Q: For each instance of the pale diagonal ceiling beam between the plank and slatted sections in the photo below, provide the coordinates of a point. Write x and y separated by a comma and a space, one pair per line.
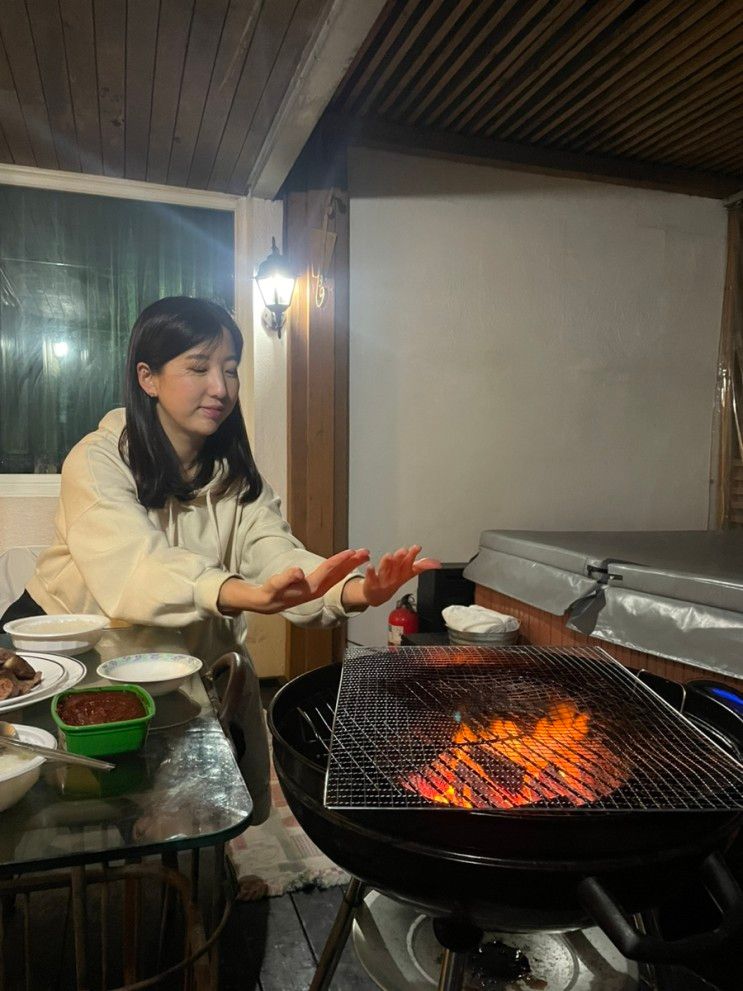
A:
325, 61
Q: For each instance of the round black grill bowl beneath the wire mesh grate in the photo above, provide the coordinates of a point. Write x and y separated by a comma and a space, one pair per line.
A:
510, 871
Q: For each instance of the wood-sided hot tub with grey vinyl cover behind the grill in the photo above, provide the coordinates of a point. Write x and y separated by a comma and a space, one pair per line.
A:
671, 601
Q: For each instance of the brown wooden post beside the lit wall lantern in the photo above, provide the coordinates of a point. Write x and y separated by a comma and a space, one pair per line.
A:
316, 199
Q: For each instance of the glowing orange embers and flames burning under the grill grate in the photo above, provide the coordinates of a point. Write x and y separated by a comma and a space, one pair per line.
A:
502, 765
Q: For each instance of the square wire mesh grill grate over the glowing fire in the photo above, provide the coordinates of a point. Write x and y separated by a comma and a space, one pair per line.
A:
537, 729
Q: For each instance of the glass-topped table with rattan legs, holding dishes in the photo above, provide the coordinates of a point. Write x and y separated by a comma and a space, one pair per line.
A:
182, 791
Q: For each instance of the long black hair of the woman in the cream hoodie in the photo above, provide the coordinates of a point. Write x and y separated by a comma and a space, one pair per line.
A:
162, 331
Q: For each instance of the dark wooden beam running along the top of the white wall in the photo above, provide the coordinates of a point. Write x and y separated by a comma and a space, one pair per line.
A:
528, 158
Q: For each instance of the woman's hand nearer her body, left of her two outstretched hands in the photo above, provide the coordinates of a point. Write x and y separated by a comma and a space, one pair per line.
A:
289, 588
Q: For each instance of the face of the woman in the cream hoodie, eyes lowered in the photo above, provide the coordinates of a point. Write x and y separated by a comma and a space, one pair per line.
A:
195, 391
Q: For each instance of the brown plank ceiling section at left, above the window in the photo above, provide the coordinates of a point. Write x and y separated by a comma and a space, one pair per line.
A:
181, 92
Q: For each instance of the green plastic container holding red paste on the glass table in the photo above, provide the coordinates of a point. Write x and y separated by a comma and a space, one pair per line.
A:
104, 739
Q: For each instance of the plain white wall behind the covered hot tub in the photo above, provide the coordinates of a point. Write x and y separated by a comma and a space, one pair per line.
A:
526, 352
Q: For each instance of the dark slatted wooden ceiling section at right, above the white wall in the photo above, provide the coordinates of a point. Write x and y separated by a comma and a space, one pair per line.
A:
648, 81
